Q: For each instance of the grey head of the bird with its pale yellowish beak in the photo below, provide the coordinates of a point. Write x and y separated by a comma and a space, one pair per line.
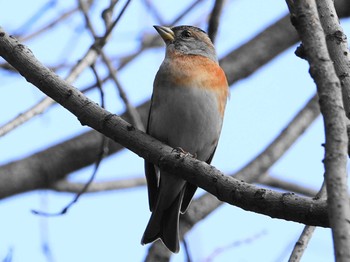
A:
187, 40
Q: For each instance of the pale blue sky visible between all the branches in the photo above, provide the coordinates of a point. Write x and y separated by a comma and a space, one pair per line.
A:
108, 226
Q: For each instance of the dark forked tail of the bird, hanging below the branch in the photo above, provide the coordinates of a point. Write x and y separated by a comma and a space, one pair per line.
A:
164, 224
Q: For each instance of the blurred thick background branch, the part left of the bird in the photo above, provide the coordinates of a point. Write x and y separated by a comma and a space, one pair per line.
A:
59, 160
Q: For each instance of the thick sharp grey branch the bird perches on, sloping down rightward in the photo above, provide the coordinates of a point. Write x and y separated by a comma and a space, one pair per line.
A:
228, 189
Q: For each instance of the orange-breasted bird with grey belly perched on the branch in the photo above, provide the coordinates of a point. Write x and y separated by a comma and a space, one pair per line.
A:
189, 97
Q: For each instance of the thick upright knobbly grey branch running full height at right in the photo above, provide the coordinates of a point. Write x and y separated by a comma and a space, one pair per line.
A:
322, 70
